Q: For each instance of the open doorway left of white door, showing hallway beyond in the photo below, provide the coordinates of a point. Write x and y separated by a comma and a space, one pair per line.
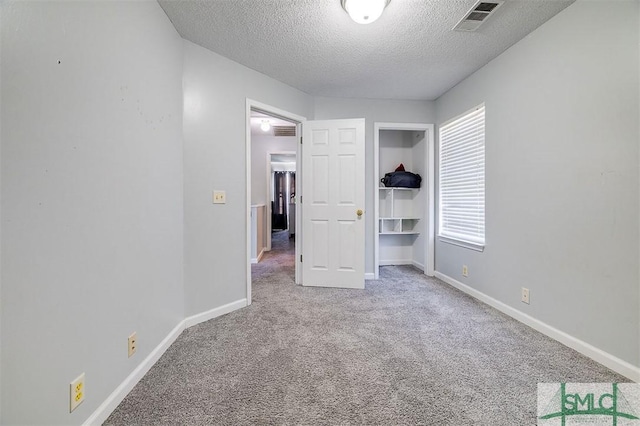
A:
272, 150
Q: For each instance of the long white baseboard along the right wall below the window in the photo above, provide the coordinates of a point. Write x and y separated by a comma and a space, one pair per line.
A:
614, 363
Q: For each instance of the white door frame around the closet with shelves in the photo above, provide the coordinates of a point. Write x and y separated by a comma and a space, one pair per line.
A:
429, 265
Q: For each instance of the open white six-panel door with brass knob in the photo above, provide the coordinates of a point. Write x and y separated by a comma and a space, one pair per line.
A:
333, 203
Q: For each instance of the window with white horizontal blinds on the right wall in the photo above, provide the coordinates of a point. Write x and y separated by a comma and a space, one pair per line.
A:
461, 183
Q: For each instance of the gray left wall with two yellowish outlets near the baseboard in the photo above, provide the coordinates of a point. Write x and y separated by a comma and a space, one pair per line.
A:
91, 199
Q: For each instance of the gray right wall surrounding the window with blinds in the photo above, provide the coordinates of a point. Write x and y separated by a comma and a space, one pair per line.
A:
561, 175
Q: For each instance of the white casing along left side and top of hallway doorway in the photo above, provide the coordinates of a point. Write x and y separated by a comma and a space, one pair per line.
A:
271, 110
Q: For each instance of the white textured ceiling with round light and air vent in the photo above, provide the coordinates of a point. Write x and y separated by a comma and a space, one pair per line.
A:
313, 45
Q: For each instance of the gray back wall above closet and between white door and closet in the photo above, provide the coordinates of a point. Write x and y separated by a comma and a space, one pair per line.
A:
373, 110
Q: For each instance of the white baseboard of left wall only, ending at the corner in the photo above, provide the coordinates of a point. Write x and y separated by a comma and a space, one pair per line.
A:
106, 408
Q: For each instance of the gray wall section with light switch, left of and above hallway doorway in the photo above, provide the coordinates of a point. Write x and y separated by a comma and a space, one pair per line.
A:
215, 91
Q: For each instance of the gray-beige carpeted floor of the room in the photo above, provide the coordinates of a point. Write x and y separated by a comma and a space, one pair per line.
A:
406, 350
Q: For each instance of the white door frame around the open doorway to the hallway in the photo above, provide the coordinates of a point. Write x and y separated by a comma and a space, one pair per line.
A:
252, 104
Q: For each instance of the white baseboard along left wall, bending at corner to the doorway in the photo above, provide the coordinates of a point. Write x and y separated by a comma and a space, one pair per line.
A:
111, 403
